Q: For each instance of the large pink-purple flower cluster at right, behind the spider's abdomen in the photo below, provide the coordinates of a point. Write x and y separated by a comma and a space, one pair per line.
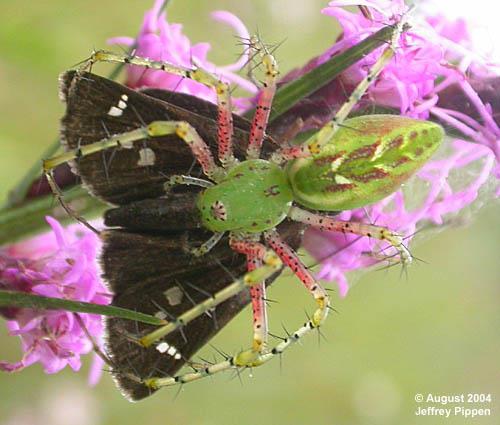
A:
432, 57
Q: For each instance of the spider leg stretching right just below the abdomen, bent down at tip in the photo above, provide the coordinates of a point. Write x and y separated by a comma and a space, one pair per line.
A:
325, 223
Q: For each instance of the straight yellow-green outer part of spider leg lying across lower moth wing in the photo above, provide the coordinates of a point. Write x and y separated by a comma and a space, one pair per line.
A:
271, 264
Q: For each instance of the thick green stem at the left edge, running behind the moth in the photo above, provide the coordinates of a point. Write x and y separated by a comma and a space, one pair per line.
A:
26, 219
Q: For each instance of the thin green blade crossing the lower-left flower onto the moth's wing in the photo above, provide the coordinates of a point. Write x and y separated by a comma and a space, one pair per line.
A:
23, 300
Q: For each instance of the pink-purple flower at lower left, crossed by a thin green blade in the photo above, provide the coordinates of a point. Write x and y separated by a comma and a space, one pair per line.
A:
61, 264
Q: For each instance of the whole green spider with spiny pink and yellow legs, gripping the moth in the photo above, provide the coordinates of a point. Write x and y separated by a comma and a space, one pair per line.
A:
345, 165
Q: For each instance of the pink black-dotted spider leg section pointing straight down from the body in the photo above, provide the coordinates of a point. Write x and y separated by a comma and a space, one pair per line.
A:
255, 252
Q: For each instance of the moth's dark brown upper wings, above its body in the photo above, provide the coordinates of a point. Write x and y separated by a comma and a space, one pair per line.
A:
97, 108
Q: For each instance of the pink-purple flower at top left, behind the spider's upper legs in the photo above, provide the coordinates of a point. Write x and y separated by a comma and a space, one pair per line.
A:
160, 40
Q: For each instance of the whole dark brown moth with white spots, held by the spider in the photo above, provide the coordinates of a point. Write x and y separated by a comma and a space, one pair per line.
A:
145, 256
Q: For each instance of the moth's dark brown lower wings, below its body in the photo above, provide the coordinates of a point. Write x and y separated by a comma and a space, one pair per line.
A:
177, 283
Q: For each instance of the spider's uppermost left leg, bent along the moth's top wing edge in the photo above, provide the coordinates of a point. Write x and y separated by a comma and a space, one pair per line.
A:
222, 89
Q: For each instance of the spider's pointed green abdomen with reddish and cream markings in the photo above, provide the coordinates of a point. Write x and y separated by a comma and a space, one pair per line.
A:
367, 160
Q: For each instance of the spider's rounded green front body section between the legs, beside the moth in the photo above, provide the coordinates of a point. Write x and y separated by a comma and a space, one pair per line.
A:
255, 196
